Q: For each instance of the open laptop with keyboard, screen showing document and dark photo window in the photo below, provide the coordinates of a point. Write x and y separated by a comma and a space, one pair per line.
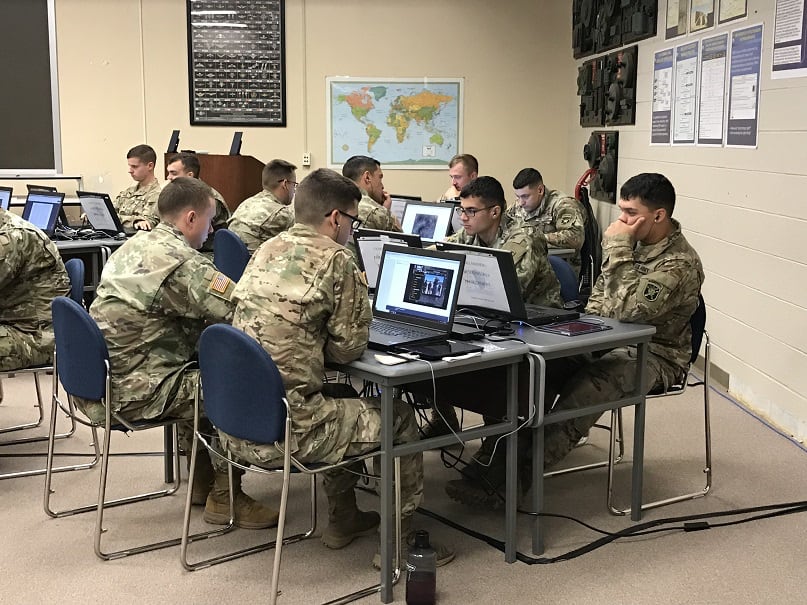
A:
415, 298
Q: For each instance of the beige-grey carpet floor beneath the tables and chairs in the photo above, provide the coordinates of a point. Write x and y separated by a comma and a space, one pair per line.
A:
46, 560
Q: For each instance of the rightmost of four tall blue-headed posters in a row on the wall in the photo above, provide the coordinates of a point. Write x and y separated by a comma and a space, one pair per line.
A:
744, 70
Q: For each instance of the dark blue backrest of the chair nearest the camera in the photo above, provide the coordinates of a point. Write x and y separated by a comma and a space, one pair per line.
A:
241, 385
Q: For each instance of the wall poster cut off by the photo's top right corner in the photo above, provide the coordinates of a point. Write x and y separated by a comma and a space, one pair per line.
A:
789, 40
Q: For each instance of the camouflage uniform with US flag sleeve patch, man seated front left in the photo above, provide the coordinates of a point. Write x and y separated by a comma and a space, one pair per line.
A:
156, 296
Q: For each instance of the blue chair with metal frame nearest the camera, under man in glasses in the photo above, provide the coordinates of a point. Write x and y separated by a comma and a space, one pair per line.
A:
245, 398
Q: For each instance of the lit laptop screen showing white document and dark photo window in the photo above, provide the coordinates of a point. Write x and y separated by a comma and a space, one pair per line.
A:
418, 284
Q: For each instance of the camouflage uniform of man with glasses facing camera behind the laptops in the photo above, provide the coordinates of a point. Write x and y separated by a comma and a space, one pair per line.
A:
535, 275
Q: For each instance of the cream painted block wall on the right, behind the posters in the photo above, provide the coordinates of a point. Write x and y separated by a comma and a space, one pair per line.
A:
743, 210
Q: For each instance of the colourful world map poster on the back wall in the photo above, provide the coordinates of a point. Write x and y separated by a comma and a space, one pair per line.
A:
402, 123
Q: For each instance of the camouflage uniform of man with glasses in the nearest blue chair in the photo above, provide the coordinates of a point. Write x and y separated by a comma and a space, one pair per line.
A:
305, 301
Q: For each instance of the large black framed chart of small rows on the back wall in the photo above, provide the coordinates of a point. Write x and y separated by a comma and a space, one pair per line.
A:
236, 62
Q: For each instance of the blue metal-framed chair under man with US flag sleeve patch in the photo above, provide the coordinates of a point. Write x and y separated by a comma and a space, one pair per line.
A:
81, 363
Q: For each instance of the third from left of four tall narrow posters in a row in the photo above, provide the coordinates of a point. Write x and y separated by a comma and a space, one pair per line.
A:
712, 90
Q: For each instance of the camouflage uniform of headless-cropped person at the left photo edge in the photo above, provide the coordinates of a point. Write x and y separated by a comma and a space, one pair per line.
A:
31, 275
